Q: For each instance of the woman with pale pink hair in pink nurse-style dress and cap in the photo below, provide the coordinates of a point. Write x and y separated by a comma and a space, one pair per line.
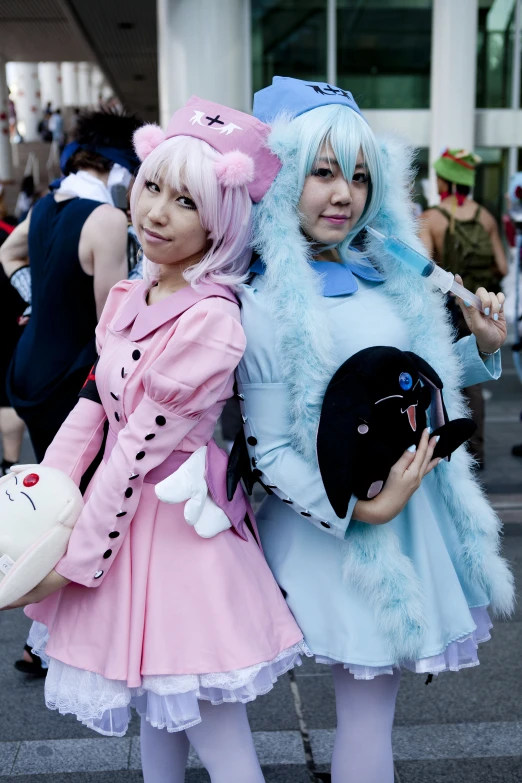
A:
169, 608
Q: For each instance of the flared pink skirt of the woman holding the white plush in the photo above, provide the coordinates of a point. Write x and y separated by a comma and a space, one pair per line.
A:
173, 605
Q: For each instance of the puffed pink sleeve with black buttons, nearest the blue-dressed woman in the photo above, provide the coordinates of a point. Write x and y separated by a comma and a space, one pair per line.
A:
189, 377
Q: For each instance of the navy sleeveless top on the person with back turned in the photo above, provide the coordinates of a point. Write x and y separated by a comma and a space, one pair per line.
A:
57, 349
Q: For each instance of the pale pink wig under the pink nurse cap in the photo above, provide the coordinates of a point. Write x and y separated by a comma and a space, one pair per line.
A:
224, 208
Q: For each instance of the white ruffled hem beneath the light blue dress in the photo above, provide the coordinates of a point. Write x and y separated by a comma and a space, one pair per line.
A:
459, 654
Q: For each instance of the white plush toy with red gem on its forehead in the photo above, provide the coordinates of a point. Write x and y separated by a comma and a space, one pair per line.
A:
39, 507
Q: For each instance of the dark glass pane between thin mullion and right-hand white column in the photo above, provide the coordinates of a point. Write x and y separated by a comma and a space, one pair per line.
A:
384, 52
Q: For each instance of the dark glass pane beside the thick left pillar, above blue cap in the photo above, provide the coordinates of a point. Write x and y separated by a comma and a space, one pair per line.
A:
288, 39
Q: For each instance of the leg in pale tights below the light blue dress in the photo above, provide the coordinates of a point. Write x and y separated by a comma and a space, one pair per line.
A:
365, 709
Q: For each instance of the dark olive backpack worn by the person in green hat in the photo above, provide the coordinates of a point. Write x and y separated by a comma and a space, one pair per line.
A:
468, 252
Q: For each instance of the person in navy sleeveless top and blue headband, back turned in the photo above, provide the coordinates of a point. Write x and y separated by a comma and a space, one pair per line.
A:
76, 243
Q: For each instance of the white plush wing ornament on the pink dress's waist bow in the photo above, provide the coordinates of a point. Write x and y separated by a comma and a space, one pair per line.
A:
188, 483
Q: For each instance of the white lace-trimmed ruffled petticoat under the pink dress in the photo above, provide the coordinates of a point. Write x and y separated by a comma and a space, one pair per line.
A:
166, 701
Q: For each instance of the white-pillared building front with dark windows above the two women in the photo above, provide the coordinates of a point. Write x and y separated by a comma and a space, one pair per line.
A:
439, 72
